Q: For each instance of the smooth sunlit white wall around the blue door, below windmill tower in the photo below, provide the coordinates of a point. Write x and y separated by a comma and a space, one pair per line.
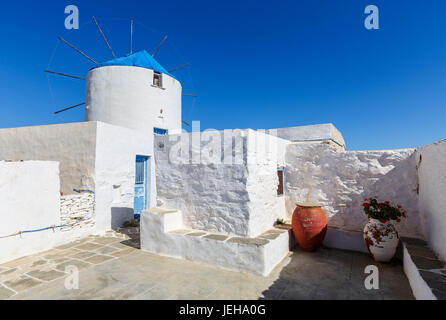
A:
116, 151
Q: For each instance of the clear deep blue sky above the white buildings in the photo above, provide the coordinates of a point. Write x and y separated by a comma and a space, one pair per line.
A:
254, 64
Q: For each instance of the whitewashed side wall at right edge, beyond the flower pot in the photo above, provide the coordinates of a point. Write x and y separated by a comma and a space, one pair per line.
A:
431, 160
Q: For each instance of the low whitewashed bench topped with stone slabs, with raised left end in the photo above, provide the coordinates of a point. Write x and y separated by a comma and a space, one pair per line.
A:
164, 233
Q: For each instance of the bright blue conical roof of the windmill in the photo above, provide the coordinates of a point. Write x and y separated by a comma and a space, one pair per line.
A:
140, 59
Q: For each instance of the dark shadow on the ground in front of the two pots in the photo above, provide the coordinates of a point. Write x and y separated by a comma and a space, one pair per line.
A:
333, 274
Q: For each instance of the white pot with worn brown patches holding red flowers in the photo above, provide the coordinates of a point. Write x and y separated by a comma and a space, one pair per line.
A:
381, 239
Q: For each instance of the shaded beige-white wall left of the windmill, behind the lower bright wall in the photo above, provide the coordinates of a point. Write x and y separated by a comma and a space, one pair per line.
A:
72, 144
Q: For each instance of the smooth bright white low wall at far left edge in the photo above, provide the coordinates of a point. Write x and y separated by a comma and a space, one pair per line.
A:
29, 200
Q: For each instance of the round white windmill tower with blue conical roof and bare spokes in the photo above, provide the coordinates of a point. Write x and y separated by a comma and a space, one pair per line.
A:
133, 91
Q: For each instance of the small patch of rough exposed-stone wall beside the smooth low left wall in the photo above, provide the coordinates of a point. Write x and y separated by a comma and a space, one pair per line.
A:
77, 212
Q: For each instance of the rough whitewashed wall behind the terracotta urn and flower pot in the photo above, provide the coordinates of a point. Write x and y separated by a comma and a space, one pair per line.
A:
341, 182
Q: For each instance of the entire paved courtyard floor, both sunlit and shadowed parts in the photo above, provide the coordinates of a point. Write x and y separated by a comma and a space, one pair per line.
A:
112, 267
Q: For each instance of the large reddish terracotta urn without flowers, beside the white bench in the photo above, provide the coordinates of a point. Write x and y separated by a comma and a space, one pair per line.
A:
309, 225
